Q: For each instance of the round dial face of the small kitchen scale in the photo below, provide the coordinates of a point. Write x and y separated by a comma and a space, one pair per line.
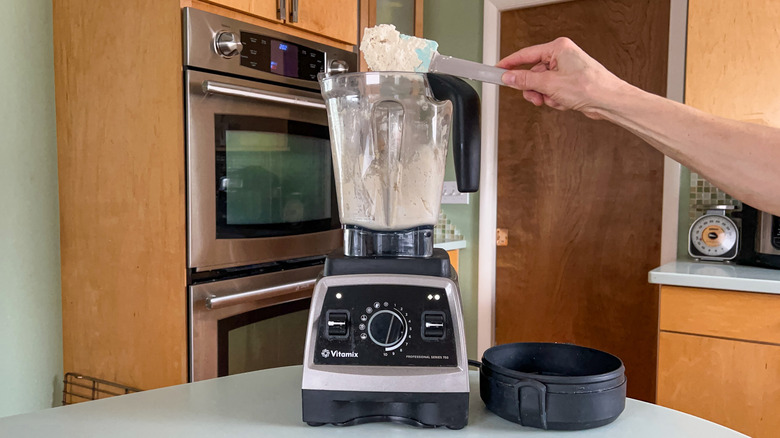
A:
713, 236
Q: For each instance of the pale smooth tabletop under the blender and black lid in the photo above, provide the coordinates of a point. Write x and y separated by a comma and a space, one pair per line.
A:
268, 403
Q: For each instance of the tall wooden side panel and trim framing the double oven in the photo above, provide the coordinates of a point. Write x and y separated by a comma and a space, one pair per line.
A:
121, 154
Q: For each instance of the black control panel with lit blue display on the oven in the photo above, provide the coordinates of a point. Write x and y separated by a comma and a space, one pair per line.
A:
279, 57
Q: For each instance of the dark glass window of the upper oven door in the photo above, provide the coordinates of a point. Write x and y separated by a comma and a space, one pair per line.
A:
274, 177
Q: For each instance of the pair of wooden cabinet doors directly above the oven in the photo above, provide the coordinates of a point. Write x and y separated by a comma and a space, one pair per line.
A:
335, 19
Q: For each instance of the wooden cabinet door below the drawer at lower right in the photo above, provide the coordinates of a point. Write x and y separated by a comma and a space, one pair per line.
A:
733, 383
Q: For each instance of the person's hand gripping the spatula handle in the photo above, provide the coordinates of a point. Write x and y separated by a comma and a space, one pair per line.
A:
563, 77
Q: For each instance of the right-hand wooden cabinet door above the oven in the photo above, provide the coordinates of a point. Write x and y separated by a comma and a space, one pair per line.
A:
335, 19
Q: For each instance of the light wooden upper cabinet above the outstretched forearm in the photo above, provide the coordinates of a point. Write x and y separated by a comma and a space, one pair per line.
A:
732, 61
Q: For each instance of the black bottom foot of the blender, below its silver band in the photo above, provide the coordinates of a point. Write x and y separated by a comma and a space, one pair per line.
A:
347, 408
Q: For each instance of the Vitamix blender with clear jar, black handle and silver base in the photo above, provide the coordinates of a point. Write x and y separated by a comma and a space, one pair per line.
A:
385, 339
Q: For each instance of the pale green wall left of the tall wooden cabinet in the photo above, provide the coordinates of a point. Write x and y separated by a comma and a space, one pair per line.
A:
31, 313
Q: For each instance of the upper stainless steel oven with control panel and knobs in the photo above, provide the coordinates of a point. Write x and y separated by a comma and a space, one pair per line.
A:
259, 178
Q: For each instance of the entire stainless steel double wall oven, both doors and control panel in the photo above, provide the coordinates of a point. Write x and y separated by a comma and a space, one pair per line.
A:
261, 209
